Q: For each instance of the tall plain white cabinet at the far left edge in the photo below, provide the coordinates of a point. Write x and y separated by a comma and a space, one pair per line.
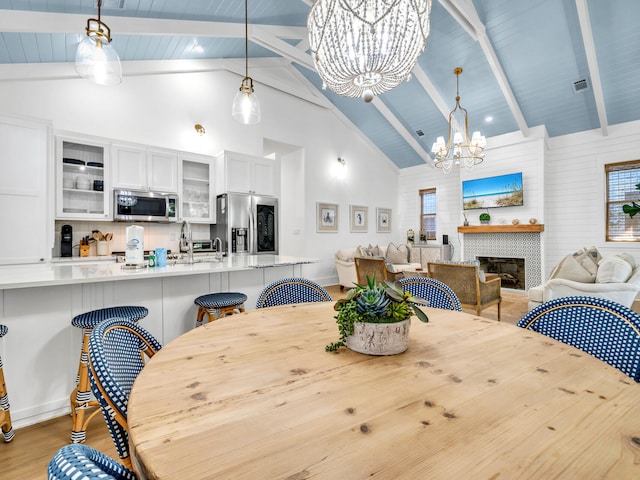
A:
25, 214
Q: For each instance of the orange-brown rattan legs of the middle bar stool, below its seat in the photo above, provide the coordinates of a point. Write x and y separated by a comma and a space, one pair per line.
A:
80, 398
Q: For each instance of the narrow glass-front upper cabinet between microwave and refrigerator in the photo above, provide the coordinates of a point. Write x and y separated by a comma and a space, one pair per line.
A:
197, 193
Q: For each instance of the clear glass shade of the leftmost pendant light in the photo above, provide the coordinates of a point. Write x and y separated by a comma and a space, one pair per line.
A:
98, 61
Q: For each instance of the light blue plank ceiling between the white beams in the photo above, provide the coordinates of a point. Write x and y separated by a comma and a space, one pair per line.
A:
538, 44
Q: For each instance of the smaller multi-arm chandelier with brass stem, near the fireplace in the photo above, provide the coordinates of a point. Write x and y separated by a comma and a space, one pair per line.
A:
460, 149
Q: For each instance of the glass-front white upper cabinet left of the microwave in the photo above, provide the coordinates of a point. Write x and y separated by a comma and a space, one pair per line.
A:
81, 183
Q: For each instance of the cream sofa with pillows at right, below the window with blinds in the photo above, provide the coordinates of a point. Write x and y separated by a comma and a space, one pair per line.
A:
613, 277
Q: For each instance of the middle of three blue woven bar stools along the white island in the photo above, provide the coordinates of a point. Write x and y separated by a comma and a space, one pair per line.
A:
80, 398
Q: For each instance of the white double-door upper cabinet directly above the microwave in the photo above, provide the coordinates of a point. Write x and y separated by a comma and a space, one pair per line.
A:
138, 168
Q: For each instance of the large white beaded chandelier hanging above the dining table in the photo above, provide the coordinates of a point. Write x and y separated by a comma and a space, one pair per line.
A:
362, 48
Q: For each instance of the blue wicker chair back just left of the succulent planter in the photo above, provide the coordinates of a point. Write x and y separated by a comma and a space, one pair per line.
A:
292, 290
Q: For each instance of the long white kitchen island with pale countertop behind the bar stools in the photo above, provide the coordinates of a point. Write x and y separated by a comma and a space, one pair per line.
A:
37, 302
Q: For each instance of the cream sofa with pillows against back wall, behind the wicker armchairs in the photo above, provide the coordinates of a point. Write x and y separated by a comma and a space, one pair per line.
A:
398, 258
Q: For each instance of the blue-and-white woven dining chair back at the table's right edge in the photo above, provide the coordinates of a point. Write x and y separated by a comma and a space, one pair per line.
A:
602, 328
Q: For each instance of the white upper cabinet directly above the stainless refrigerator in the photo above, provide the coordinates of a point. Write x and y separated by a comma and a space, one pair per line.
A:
241, 173
